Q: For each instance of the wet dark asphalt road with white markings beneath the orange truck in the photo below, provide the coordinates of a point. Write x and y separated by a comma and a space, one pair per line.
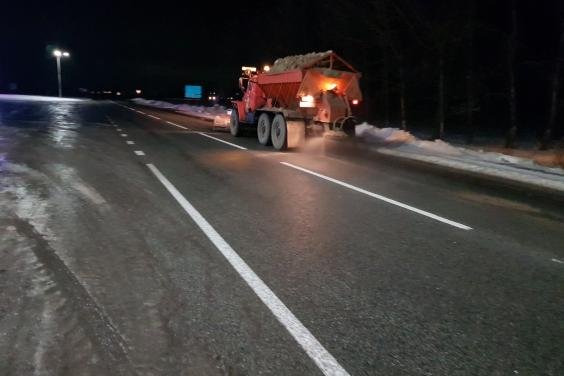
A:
140, 242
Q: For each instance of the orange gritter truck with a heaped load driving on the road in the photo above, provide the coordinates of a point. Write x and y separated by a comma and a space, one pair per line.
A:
299, 96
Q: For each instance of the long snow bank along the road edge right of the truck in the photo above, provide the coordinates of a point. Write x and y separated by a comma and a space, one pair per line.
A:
396, 142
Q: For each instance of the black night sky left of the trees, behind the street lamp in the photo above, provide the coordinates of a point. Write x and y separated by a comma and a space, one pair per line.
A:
131, 44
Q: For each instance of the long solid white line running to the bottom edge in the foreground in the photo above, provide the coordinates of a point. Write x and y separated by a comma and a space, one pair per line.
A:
322, 358
